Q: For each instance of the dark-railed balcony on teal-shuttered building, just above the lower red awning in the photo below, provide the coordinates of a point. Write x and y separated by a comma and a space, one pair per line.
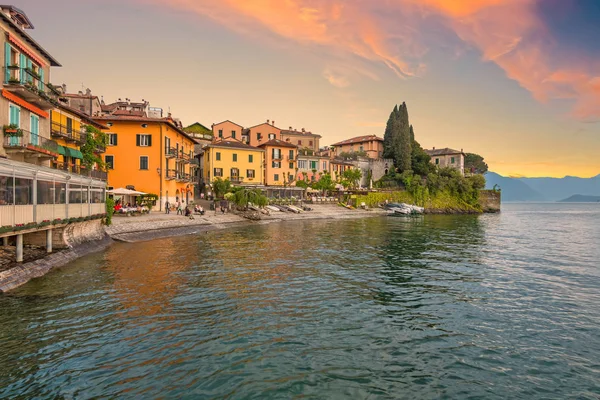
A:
26, 84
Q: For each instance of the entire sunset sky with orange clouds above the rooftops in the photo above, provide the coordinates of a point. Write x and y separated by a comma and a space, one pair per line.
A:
517, 81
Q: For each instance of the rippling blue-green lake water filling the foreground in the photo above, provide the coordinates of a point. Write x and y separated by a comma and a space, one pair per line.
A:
494, 306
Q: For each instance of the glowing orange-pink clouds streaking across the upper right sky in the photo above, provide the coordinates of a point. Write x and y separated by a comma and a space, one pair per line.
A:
508, 33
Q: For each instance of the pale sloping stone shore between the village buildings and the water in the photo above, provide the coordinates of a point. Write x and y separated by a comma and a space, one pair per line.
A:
158, 224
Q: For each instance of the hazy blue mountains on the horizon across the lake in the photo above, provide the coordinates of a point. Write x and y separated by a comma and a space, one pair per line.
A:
543, 189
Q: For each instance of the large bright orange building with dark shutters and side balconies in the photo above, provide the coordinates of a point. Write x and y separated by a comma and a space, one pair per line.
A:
154, 155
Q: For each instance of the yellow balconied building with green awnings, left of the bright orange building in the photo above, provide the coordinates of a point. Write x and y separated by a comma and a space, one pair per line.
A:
68, 129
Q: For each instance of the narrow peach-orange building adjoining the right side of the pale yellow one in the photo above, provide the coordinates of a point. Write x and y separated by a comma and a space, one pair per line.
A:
280, 166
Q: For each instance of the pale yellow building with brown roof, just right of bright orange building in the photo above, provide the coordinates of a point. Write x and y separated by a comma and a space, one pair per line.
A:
234, 160
